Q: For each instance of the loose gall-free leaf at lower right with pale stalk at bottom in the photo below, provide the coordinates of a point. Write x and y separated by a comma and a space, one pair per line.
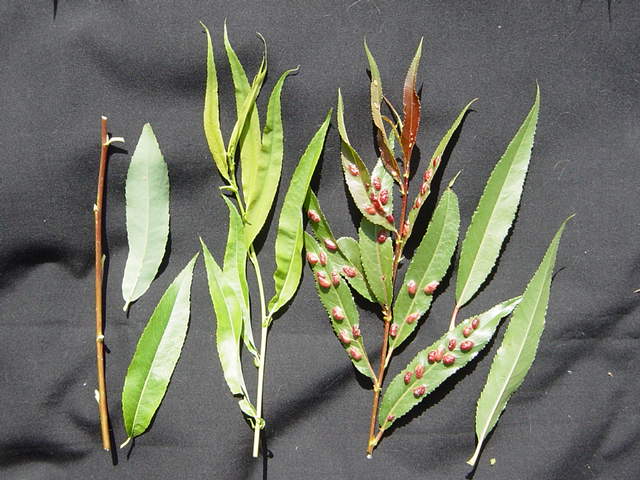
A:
518, 350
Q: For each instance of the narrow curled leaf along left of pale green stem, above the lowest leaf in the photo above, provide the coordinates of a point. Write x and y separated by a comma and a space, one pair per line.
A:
235, 271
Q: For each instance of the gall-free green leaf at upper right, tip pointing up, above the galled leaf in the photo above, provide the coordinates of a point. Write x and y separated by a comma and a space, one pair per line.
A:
496, 210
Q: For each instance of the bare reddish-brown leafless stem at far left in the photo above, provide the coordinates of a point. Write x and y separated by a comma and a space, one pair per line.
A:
97, 215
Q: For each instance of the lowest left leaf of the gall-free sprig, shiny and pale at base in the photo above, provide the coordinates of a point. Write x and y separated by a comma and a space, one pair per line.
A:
229, 328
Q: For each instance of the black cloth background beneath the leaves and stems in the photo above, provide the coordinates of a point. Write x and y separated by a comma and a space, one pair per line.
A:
64, 63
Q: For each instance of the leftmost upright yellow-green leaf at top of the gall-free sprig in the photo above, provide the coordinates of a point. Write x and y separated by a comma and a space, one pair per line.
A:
211, 113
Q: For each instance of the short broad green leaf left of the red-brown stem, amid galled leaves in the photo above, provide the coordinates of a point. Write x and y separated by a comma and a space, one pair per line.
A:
377, 260
